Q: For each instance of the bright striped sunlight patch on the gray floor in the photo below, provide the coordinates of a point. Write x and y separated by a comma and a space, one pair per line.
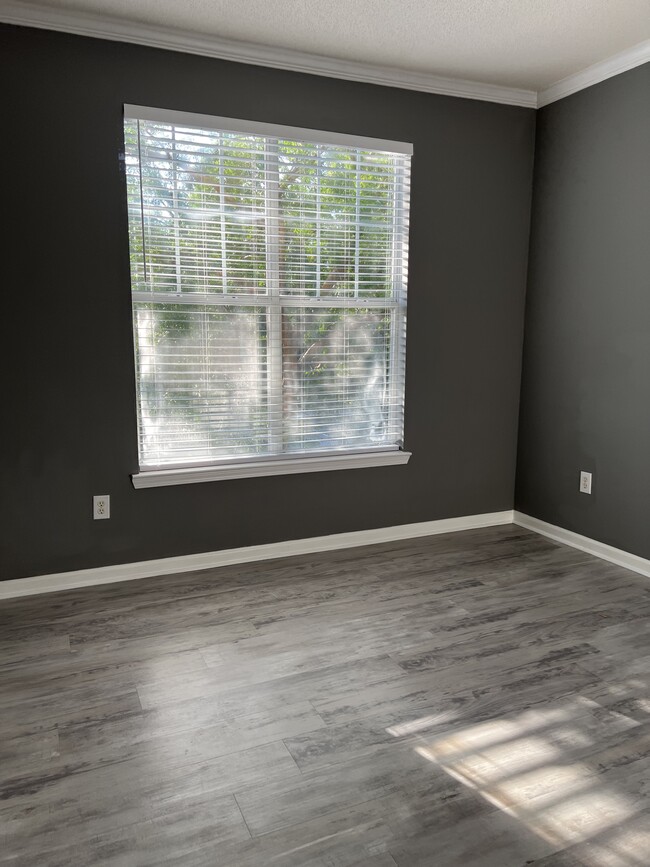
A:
527, 767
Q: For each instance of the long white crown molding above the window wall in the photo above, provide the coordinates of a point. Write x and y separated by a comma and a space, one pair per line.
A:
189, 42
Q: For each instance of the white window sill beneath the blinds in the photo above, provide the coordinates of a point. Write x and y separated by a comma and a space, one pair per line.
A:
278, 467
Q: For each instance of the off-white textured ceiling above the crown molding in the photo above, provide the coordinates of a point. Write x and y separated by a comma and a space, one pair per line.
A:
517, 43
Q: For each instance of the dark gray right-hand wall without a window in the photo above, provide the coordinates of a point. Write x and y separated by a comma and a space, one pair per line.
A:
586, 384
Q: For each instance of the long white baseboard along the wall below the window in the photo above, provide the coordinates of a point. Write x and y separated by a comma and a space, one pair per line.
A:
214, 559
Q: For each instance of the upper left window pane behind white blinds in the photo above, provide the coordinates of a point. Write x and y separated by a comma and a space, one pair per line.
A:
202, 197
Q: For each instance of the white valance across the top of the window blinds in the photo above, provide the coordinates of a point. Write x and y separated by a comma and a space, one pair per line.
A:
273, 130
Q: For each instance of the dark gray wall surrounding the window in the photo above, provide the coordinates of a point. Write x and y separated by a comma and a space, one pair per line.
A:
69, 423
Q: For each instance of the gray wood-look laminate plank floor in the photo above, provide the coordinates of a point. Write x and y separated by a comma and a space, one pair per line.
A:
479, 698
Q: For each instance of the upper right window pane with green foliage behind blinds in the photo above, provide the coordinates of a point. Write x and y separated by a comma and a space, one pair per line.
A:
337, 215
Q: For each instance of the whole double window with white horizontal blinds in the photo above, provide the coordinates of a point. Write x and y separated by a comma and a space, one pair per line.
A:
268, 271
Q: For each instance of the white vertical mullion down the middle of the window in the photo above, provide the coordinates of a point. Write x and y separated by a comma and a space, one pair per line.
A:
274, 307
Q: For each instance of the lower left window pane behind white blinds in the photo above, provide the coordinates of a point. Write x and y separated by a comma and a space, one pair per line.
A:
202, 382
